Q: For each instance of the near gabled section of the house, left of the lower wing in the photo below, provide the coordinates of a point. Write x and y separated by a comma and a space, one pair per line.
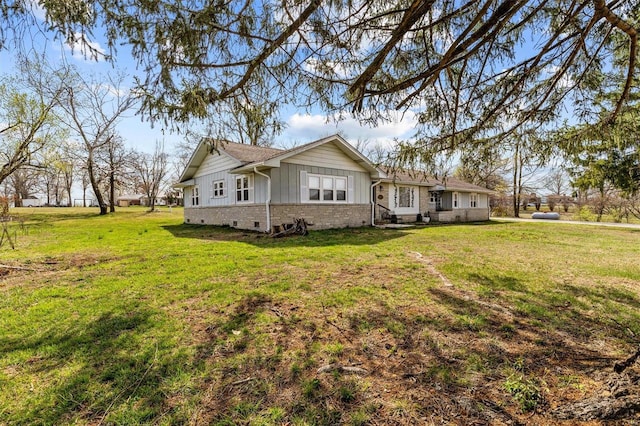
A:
327, 182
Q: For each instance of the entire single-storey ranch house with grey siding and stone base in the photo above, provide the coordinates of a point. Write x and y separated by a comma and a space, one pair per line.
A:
327, 182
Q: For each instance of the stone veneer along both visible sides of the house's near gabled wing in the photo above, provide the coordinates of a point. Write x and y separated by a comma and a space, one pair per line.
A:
322, 216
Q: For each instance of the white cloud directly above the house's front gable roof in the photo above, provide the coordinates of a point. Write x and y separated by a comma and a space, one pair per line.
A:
303, 128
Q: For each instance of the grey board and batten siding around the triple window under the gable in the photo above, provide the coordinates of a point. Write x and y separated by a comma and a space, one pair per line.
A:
285, 182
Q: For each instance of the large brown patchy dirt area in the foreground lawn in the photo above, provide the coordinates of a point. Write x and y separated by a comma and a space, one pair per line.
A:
472, 361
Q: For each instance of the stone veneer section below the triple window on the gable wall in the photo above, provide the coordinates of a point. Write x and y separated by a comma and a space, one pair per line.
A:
323, 216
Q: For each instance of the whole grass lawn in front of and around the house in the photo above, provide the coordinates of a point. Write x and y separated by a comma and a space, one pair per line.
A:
136, 318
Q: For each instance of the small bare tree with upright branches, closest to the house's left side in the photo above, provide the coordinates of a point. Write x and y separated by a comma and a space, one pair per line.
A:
151, 171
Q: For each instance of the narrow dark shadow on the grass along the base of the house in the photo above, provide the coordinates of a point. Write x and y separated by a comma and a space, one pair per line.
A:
330, 237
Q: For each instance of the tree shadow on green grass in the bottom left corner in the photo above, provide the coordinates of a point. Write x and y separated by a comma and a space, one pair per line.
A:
102, 371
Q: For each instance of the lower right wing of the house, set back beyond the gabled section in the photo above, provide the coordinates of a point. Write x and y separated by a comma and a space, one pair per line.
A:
402, 196
